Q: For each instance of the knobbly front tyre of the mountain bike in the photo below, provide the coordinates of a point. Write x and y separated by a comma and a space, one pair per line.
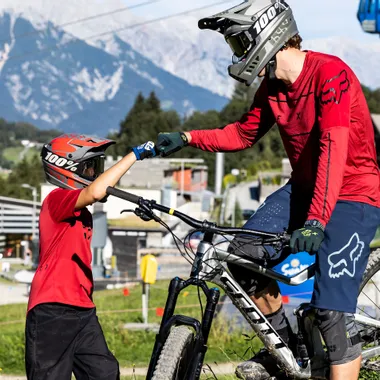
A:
173, 360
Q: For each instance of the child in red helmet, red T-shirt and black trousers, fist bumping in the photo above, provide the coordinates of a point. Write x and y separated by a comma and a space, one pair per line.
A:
63, 335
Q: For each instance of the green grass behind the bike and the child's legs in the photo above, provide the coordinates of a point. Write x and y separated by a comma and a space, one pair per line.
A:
133, 348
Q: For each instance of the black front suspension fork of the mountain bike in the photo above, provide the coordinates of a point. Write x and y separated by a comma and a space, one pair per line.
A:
202, 329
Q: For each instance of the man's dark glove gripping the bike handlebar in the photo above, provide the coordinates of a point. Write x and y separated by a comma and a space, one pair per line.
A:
308, 238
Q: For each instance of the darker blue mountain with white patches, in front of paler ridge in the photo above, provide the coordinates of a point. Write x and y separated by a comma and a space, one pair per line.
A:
52, 79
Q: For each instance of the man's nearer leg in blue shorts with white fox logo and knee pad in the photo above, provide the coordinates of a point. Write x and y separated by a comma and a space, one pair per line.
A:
341, 262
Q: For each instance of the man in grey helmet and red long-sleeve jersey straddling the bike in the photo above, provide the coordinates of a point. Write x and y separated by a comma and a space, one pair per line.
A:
331, 203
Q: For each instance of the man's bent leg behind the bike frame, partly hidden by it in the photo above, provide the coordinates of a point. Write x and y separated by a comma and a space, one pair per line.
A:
276, 214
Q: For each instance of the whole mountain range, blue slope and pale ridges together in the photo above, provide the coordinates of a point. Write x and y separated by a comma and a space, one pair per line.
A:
58, 71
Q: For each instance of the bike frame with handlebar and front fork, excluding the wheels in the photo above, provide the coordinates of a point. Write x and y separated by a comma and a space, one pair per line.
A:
209, 265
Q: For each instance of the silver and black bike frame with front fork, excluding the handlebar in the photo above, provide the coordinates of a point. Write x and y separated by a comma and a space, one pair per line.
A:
208, 266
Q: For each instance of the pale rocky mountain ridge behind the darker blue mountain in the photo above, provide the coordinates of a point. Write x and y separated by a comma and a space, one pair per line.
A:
177, 45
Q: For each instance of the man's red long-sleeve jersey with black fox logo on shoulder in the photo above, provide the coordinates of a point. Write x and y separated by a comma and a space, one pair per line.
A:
326, 129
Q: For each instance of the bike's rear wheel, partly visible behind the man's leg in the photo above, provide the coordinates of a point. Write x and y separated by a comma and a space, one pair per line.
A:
369, 306
